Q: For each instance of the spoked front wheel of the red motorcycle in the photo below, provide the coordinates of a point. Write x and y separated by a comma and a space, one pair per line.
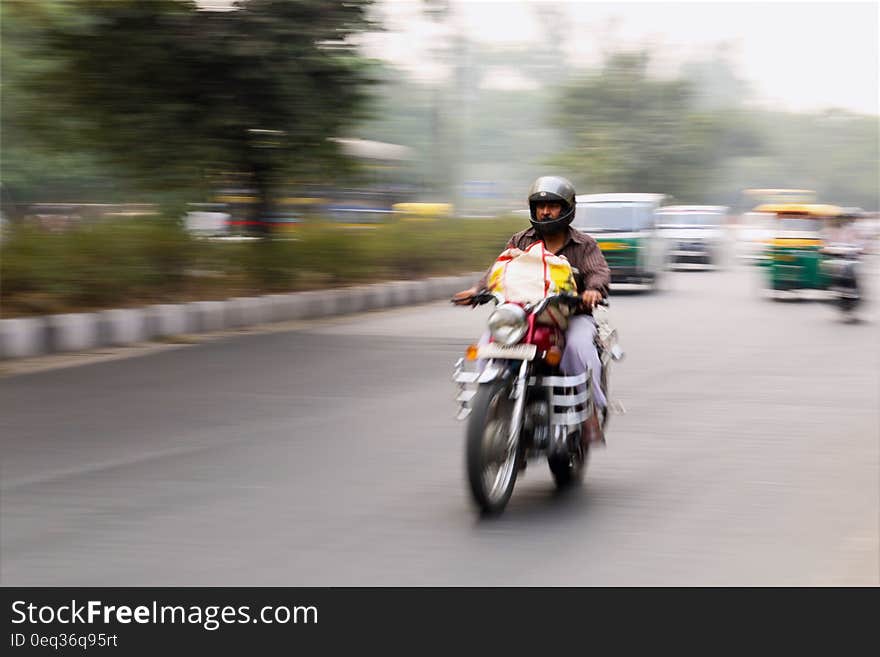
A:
492, 457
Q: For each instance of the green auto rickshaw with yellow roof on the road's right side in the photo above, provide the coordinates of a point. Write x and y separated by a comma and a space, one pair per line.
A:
794, 252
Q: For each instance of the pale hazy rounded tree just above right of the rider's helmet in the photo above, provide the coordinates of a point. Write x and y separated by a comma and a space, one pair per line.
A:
630, 132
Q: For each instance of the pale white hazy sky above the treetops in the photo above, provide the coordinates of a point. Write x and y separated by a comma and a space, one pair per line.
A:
795, 55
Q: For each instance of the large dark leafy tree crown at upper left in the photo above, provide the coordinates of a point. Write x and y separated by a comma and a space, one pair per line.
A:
168, 93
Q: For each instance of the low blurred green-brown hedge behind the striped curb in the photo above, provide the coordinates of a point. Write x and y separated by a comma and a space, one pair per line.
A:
115, 263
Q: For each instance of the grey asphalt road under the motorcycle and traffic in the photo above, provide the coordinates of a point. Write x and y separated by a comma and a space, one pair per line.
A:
327, 454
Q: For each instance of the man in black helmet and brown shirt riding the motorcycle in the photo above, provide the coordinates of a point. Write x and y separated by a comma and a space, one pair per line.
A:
552, 209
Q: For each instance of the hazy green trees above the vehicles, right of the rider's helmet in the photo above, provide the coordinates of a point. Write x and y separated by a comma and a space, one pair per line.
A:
695, 138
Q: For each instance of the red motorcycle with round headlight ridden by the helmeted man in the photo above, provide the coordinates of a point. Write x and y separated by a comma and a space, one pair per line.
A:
519, 405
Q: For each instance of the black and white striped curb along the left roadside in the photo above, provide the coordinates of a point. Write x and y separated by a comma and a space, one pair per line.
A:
36, 336
